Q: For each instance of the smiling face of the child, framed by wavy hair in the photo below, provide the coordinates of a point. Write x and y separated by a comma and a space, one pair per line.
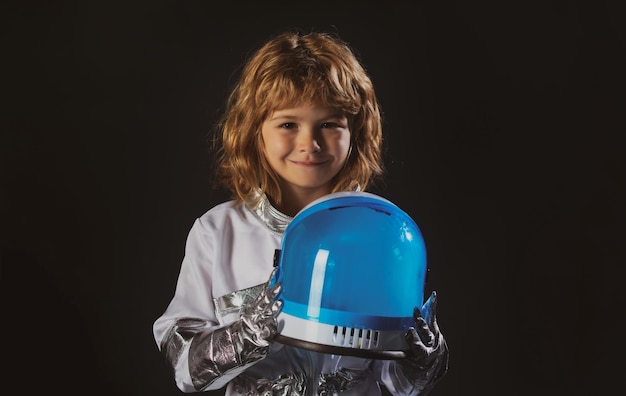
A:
306, 146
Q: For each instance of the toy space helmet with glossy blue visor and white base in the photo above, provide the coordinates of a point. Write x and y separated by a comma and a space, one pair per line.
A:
352, 267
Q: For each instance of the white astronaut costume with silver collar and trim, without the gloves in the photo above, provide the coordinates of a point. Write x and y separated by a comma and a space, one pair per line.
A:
228, 259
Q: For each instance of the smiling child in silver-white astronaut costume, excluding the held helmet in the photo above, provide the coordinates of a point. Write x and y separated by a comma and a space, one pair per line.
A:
302, 122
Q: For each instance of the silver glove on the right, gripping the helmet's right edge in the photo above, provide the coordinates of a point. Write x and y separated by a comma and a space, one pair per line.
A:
427, 360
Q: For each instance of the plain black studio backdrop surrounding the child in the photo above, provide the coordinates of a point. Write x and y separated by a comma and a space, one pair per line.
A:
502, 122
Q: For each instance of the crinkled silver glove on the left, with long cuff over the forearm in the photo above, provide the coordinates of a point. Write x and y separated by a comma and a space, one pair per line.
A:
232, 348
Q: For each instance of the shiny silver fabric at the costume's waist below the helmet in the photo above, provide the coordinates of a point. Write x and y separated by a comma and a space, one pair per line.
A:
298, 384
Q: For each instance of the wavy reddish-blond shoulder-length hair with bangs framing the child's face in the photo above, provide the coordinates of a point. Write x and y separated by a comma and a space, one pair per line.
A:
295, 68
